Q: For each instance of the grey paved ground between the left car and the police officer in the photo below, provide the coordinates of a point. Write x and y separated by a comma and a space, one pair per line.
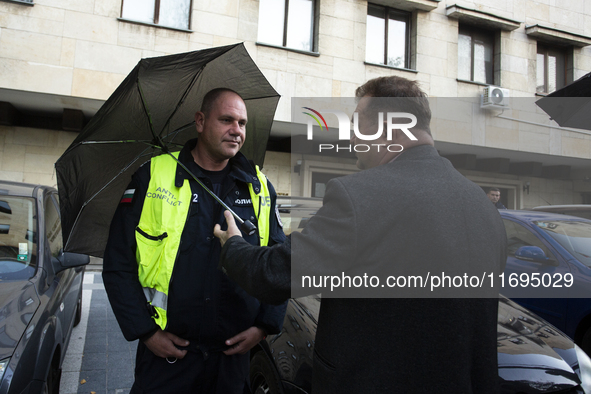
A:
98, 354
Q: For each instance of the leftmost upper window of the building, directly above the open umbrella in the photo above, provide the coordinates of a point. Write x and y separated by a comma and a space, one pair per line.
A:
168, 13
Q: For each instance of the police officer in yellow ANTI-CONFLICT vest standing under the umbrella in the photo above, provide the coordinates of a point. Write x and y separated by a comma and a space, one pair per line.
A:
160, 270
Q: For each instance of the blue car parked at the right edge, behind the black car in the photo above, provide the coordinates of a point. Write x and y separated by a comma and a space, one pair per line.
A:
562, 246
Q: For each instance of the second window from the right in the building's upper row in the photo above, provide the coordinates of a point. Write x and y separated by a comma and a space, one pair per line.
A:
475, 55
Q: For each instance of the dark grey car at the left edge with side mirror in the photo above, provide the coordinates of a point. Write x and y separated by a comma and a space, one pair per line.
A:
40, 289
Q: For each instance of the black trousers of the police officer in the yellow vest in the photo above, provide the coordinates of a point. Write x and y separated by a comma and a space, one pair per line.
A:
196, 373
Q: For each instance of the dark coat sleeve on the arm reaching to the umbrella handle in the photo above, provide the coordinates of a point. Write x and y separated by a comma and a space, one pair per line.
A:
328, 242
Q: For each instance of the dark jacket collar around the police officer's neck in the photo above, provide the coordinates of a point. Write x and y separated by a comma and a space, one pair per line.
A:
241, 168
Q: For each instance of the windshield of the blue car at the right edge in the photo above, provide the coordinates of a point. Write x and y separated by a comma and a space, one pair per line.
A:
574, 236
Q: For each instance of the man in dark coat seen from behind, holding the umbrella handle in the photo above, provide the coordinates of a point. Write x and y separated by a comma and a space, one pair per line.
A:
405, 214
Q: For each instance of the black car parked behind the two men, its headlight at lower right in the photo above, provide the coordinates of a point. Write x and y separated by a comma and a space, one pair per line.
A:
533, 355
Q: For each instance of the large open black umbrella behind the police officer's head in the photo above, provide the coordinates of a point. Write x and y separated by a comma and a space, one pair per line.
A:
151, 112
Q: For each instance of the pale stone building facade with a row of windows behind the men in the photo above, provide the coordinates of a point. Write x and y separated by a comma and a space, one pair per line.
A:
61, 59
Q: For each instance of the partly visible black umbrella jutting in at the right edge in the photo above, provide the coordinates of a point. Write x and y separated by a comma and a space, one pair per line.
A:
570, 106
